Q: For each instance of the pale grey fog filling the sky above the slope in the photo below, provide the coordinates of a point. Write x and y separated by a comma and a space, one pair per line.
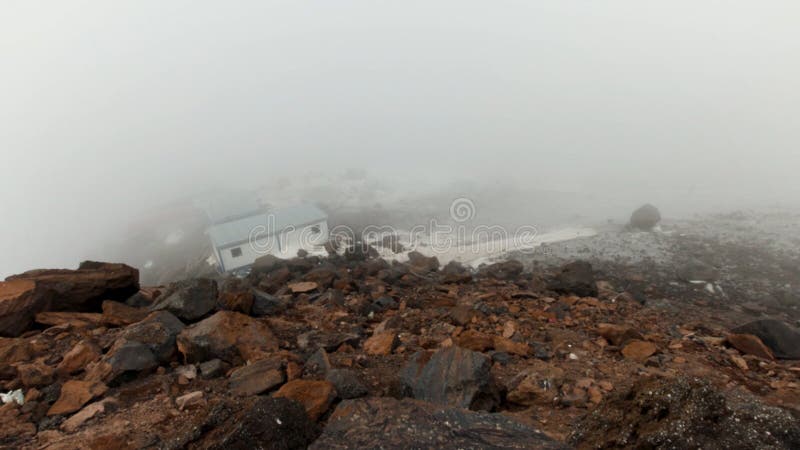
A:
108, 109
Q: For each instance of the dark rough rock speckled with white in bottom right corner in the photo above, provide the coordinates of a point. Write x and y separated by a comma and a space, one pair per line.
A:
685, 413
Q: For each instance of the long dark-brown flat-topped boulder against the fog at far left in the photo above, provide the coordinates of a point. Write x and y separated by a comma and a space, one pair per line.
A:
86, 288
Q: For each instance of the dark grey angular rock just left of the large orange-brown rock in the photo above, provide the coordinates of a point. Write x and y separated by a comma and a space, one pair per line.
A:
158, 331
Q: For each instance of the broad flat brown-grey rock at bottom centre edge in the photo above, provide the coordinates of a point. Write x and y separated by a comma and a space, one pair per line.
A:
388, 423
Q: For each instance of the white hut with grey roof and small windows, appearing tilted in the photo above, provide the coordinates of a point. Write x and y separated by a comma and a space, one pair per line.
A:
243, 231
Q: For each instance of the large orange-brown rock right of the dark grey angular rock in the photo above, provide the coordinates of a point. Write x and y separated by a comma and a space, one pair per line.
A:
229, 336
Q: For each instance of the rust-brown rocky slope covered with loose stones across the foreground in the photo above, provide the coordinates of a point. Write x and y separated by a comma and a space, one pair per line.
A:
683, 337
